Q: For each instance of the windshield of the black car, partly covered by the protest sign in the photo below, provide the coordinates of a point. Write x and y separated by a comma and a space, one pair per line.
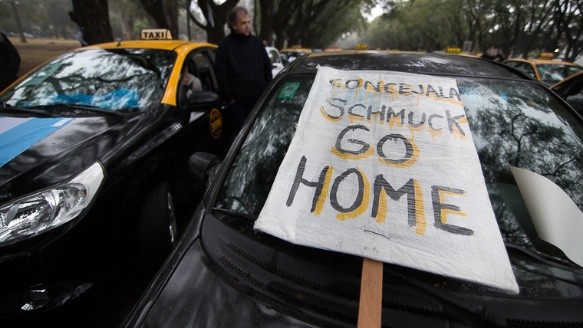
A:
514, 123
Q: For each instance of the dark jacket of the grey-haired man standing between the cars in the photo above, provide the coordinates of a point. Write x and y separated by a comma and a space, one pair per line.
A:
243, 69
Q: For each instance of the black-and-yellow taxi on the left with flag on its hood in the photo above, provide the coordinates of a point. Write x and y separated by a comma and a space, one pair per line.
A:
93, 165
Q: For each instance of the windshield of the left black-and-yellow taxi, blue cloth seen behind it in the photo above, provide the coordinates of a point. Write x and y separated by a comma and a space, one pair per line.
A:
109, 80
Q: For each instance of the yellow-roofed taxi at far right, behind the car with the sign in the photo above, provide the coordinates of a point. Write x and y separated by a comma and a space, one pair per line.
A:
544, 68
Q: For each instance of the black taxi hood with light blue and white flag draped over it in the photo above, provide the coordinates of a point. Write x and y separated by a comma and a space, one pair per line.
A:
38, 152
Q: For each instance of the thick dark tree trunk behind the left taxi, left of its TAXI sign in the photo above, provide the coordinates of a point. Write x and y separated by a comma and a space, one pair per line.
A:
92, 17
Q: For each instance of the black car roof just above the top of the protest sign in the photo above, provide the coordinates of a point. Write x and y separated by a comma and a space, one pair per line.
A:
440, 64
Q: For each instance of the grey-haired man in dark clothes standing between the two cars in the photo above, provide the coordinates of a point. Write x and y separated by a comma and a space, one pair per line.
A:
242, 66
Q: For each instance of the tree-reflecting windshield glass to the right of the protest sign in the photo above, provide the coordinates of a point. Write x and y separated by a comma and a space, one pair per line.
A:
527, 128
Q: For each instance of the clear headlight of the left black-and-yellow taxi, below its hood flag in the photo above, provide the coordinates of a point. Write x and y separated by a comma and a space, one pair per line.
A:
39, 212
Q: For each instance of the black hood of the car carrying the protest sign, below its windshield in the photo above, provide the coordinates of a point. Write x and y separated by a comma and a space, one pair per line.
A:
197, 296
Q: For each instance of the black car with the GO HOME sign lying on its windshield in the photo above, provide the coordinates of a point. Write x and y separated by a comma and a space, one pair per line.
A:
227, 273
